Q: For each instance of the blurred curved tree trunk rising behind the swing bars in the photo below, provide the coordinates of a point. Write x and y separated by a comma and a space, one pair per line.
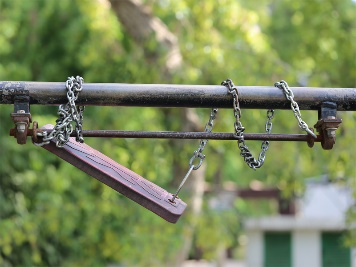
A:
144, 28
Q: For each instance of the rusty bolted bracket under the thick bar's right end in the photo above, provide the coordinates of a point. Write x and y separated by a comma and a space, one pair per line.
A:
328, 124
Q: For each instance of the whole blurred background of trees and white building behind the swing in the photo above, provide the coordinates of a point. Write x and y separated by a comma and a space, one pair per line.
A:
52, 214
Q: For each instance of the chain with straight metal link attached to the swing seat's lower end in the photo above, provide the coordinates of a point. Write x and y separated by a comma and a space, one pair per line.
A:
198, 154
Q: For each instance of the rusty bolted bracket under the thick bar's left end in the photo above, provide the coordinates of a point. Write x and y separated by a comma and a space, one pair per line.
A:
21, 116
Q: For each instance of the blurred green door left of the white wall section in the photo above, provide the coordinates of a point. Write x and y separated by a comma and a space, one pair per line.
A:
277, 249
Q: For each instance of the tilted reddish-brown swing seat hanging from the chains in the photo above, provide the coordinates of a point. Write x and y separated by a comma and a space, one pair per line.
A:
118, 177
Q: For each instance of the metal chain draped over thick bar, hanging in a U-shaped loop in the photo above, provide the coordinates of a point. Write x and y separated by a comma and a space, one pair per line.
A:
239, 129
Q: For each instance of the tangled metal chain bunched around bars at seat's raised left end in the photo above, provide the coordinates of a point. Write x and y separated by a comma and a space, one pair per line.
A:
67, 114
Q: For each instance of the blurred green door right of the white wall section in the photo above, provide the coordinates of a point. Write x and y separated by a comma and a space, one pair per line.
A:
334, 254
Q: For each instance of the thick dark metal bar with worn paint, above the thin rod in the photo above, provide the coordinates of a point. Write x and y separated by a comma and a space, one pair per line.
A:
171, 95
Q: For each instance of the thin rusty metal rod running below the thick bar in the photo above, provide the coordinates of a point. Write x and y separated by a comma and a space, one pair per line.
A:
190, 135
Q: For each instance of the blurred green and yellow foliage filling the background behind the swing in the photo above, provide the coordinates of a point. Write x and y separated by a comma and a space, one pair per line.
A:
53, 215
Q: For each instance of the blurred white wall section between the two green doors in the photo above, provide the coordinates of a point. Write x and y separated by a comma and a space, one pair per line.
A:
306, 248
